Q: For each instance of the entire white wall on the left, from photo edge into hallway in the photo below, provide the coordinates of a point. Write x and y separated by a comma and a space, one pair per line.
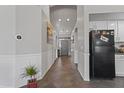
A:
15, 54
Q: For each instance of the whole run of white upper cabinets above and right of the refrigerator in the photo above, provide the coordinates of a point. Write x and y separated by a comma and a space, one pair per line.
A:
117, 26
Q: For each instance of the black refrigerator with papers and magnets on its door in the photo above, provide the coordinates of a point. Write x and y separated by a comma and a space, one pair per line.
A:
102, 54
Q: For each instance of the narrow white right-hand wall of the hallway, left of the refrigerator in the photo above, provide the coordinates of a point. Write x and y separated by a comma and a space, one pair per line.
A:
81, 35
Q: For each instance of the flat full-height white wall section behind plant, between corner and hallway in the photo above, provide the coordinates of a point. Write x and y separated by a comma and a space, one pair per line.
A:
28, 49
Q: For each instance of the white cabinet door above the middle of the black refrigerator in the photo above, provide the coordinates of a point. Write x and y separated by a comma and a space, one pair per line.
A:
101, 25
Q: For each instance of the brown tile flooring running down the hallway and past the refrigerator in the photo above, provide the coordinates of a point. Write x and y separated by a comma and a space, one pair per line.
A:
64, 74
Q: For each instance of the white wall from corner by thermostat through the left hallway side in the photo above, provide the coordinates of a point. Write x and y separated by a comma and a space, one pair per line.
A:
33, 48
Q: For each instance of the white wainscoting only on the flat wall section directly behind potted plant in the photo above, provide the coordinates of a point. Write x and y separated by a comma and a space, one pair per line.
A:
21, 62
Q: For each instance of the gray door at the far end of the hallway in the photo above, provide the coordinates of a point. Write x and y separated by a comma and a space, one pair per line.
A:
64, 48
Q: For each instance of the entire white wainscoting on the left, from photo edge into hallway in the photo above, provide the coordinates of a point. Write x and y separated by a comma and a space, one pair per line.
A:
12, 67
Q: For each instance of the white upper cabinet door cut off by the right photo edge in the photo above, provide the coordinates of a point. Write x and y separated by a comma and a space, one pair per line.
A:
121, 31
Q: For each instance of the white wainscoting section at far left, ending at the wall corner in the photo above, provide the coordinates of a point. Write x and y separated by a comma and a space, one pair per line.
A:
7, 70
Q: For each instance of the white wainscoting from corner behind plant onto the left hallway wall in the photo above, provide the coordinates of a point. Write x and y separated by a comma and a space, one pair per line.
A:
43, 61
